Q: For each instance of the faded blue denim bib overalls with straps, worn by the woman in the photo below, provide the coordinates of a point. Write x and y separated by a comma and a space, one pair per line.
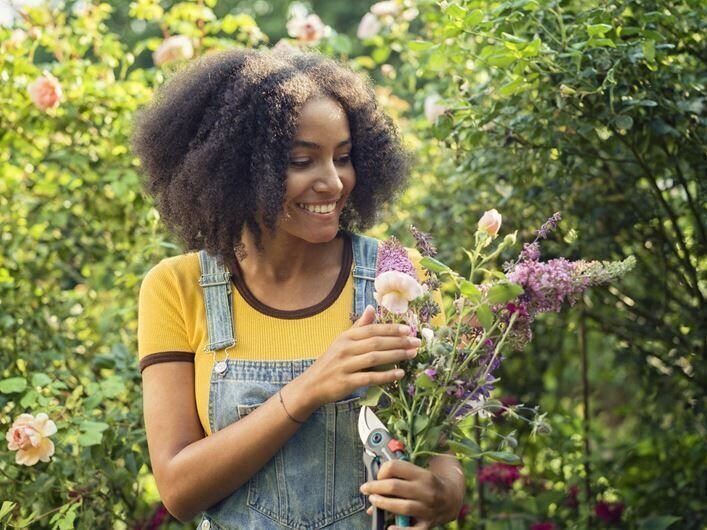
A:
313, 480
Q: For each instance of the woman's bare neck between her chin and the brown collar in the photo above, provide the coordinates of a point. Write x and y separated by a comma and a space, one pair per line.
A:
284, 257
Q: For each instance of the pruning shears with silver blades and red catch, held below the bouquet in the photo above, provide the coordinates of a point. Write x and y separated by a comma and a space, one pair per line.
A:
379, 447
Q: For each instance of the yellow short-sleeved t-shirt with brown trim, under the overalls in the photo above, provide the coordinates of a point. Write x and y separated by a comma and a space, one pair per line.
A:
172, 322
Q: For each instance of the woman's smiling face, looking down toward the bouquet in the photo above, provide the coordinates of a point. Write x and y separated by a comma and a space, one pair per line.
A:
320, 174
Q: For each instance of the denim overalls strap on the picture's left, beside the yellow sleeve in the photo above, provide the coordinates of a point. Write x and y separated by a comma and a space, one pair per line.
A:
216, 284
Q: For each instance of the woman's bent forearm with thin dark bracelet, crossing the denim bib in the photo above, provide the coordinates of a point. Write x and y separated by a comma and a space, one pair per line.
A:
208, 470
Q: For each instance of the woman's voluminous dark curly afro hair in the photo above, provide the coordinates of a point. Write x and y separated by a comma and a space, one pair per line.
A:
215, 142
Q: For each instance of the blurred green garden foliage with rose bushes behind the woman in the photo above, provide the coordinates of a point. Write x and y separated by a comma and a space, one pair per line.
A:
595, 109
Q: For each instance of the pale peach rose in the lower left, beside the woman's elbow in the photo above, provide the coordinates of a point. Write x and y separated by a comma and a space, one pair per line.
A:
29, 436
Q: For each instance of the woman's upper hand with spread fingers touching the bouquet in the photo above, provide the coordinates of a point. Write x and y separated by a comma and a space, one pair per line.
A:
348, 363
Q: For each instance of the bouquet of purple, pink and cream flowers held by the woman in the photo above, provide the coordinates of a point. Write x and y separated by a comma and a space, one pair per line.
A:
448, 385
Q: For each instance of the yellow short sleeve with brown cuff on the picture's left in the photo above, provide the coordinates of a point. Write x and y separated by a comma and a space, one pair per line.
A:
161, 330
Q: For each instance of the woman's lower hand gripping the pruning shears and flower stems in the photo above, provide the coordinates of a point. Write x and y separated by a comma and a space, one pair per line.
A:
406, 489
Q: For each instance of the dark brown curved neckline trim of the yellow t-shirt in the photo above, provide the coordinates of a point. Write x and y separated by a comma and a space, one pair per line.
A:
290, 314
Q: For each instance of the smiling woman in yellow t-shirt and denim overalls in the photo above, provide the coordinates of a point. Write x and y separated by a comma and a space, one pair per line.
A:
266, 162
